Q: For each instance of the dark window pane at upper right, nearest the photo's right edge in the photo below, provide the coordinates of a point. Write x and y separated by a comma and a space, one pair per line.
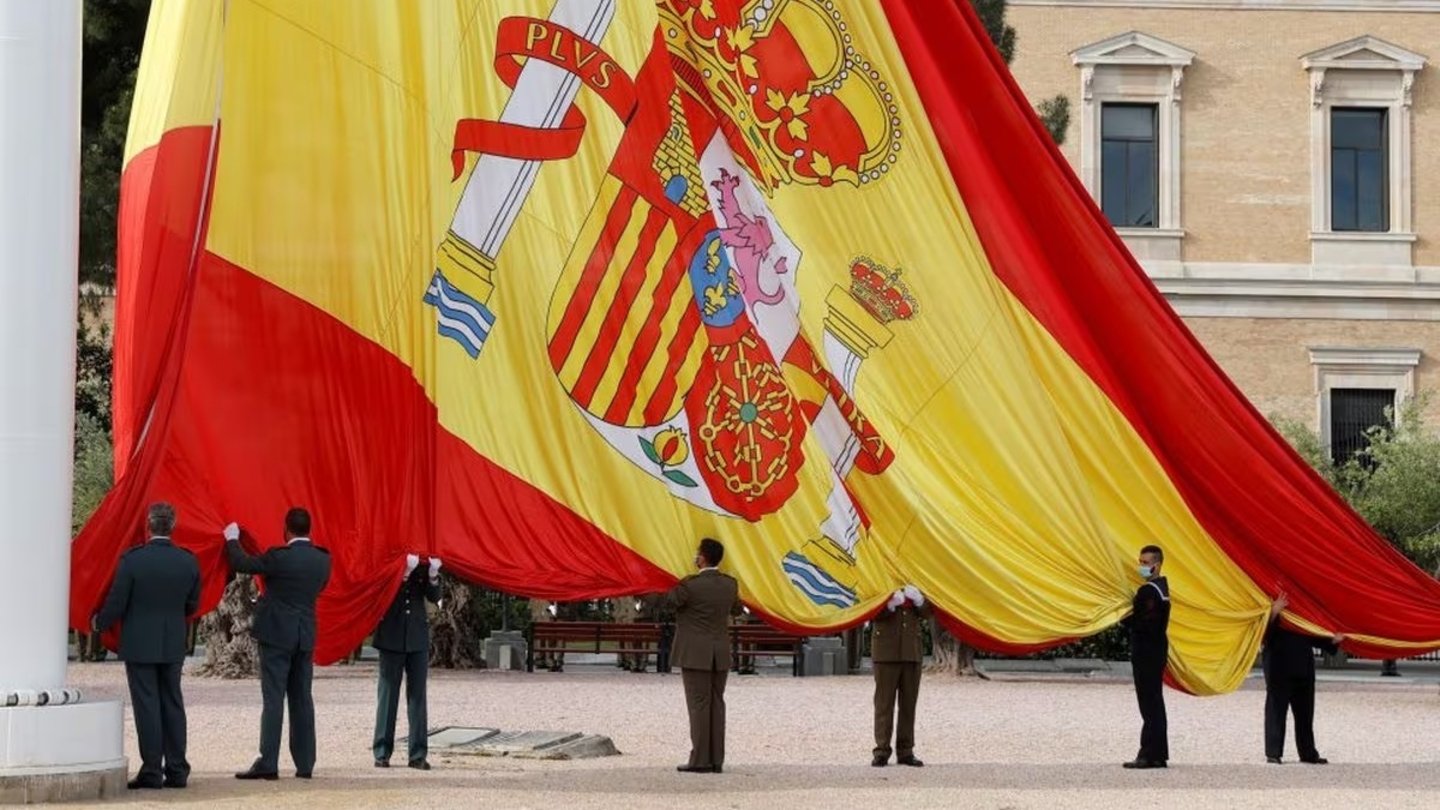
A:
1360, 168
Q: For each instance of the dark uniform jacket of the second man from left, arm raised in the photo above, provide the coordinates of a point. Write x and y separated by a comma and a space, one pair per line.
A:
294, 576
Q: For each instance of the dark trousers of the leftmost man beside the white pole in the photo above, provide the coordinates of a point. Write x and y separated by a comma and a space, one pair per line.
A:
161, 729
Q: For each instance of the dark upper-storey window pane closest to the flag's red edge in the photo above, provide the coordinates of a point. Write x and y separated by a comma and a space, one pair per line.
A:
1130, 165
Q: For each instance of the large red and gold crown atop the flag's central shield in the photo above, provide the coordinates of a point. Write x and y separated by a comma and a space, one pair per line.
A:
837, 125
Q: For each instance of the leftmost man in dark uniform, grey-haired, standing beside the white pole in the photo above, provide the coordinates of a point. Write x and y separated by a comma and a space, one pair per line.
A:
156, 589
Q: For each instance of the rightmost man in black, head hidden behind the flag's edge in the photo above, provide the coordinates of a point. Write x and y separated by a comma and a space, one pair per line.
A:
1290, 685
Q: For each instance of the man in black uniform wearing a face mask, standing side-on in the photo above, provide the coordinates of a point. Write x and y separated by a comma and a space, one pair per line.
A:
1150, 648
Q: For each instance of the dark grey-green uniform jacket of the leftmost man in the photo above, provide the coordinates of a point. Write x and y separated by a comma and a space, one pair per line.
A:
156, 589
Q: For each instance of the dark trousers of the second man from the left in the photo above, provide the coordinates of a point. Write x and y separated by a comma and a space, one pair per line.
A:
286, 678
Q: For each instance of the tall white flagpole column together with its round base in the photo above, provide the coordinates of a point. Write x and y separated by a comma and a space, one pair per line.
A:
47, 752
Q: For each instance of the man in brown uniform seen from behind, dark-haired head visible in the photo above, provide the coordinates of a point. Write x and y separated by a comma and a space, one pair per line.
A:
703, 606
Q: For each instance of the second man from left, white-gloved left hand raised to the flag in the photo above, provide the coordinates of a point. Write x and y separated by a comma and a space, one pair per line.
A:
284, 626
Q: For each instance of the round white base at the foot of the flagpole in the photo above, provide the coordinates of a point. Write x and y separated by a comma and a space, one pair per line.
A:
70, 753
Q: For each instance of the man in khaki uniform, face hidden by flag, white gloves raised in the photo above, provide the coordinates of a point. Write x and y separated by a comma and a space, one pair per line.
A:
896, 651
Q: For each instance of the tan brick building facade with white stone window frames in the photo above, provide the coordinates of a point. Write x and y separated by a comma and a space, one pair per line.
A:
1275, 166
